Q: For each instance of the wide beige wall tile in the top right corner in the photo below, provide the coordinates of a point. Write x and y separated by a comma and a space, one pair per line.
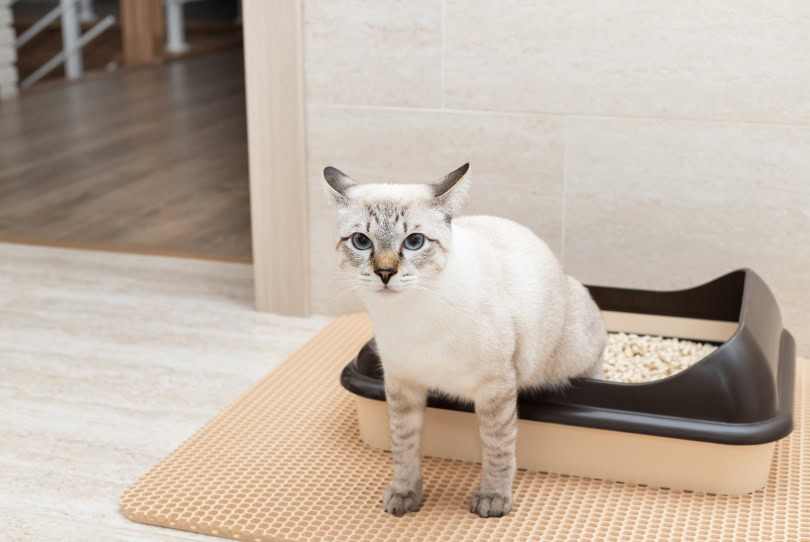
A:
726, 59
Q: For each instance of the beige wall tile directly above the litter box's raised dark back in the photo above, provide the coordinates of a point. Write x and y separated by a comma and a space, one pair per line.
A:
665, 204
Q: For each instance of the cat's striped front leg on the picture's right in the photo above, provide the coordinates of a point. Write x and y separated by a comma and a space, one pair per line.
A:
497, 418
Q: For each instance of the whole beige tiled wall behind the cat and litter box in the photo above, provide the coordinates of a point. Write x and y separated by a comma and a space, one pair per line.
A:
651, 144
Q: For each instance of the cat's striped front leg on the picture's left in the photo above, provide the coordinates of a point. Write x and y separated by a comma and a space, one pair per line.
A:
406, 411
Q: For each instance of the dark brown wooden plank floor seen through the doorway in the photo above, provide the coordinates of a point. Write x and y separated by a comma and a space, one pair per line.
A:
151, 160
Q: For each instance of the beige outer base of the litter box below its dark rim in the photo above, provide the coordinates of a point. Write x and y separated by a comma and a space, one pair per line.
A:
612, 455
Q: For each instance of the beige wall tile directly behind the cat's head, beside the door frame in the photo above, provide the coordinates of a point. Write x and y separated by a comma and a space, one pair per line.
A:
516, 167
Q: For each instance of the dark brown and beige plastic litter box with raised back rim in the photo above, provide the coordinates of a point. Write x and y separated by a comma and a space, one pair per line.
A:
712, 427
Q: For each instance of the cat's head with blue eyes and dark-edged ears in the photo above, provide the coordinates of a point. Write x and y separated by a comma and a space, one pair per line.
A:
394, 237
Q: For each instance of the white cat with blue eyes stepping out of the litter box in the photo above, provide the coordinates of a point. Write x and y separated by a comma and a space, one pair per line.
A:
474, 307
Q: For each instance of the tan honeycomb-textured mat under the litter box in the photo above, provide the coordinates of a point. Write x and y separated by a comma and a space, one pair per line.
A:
285, 462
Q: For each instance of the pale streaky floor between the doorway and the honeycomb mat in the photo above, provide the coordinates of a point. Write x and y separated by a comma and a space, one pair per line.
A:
107, 363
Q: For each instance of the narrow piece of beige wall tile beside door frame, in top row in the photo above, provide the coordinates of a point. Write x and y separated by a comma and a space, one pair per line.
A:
359, 52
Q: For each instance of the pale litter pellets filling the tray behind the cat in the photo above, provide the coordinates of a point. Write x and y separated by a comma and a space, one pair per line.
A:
636, 358
